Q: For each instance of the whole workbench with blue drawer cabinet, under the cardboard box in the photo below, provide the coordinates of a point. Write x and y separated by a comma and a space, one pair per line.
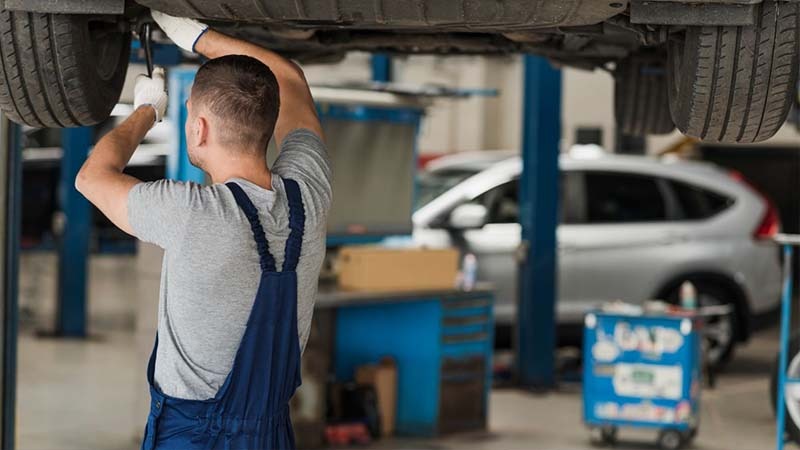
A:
441, 341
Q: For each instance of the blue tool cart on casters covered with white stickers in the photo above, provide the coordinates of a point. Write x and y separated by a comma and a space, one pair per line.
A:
642, 371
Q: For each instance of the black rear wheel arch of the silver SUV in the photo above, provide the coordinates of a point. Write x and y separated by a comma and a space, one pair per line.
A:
727, 282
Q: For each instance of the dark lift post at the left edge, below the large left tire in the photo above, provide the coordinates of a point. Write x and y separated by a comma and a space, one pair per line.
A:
13, 218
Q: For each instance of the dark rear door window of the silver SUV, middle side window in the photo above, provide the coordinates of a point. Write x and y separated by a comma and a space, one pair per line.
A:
623, 198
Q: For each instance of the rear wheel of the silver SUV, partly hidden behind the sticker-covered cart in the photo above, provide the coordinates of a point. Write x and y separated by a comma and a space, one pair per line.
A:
720, 332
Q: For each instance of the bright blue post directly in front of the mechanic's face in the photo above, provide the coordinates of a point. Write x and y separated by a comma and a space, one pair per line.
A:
180, 88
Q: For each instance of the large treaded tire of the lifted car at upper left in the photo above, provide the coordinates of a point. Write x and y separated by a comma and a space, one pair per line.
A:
60, 70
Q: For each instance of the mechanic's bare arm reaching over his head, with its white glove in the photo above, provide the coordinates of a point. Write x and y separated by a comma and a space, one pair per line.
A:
297, 108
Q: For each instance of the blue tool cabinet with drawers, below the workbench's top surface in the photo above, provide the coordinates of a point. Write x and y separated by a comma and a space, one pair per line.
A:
442, 344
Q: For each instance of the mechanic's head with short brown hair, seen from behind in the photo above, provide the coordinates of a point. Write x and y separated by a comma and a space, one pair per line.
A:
242, 93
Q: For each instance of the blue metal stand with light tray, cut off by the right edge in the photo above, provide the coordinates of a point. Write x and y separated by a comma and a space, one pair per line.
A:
786, 375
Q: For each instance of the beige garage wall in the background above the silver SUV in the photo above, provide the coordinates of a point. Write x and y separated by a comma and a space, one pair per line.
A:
484, 123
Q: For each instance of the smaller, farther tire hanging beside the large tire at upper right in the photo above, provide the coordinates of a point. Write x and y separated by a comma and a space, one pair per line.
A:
641, 104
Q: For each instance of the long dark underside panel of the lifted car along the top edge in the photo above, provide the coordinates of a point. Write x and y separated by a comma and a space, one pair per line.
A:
438, 15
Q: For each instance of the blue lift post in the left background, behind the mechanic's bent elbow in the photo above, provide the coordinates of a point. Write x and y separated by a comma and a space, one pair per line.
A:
73, 248
